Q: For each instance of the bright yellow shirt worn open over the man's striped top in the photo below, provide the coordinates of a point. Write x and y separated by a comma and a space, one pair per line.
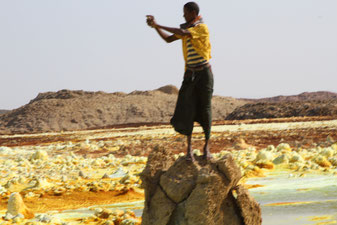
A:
199, 40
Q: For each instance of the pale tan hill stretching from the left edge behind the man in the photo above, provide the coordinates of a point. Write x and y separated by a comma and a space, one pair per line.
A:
76, 110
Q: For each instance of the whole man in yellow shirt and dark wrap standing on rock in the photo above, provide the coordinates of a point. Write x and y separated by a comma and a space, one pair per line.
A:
195, 94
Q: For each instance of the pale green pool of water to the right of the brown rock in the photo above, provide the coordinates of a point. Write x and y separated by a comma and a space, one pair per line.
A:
287, 199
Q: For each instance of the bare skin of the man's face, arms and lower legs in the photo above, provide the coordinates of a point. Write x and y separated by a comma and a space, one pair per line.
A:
190, 17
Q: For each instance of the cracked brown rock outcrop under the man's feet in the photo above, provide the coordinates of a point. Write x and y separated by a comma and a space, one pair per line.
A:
182, 192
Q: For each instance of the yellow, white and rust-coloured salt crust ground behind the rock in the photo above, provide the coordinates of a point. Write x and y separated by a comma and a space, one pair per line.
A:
64, 169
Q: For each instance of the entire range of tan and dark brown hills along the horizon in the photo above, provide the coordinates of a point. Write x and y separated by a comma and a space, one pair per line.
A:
78, 110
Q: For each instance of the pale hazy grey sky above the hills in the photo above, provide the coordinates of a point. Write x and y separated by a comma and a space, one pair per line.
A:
260, 48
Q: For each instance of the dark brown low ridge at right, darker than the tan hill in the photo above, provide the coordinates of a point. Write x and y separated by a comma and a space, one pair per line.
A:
285, 109
